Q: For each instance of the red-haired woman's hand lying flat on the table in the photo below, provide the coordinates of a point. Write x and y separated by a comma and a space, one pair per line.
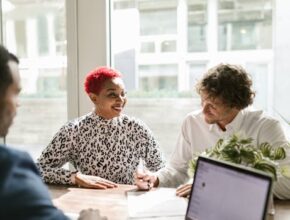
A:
93, 182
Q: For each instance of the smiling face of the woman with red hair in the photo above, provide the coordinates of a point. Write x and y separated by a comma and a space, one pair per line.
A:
111, 99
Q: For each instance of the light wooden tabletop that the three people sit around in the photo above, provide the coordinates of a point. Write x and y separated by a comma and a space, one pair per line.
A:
113, 203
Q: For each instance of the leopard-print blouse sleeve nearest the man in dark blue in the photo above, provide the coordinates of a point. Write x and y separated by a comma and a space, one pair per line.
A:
56, 154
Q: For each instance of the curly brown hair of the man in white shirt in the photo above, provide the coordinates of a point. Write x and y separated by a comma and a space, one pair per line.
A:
231, 83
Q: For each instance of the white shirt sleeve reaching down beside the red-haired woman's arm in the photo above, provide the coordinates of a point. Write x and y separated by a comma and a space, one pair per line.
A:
175, 172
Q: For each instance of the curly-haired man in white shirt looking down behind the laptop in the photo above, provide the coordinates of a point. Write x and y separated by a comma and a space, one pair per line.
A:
225, 92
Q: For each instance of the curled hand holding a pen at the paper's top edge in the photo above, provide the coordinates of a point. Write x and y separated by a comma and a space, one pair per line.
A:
145, 180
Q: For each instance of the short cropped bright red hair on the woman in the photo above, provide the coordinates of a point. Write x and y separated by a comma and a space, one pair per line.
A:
96, 78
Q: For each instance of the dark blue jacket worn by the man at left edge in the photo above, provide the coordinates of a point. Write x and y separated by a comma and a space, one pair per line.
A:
22, 192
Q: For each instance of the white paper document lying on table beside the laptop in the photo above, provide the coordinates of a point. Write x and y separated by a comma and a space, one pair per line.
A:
160, 202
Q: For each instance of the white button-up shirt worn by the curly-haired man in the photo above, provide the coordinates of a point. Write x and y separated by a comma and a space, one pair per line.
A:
197, 135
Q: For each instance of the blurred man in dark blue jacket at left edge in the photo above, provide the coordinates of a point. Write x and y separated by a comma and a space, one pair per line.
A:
22, 192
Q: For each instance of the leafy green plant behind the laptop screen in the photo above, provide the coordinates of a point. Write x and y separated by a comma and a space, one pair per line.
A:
241, 151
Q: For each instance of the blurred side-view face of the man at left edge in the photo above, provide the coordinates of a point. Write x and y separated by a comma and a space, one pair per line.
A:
9, 100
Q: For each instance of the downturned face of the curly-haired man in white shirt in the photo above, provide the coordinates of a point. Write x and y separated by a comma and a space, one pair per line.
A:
216, 112
